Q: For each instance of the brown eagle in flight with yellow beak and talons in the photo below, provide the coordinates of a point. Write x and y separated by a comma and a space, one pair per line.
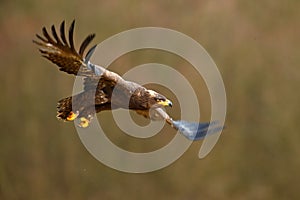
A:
104, 89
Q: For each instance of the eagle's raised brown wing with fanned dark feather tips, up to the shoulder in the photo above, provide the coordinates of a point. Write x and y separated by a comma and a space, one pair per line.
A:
62, 52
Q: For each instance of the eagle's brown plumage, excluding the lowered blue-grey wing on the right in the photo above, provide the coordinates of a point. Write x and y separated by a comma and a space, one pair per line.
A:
98, 88
